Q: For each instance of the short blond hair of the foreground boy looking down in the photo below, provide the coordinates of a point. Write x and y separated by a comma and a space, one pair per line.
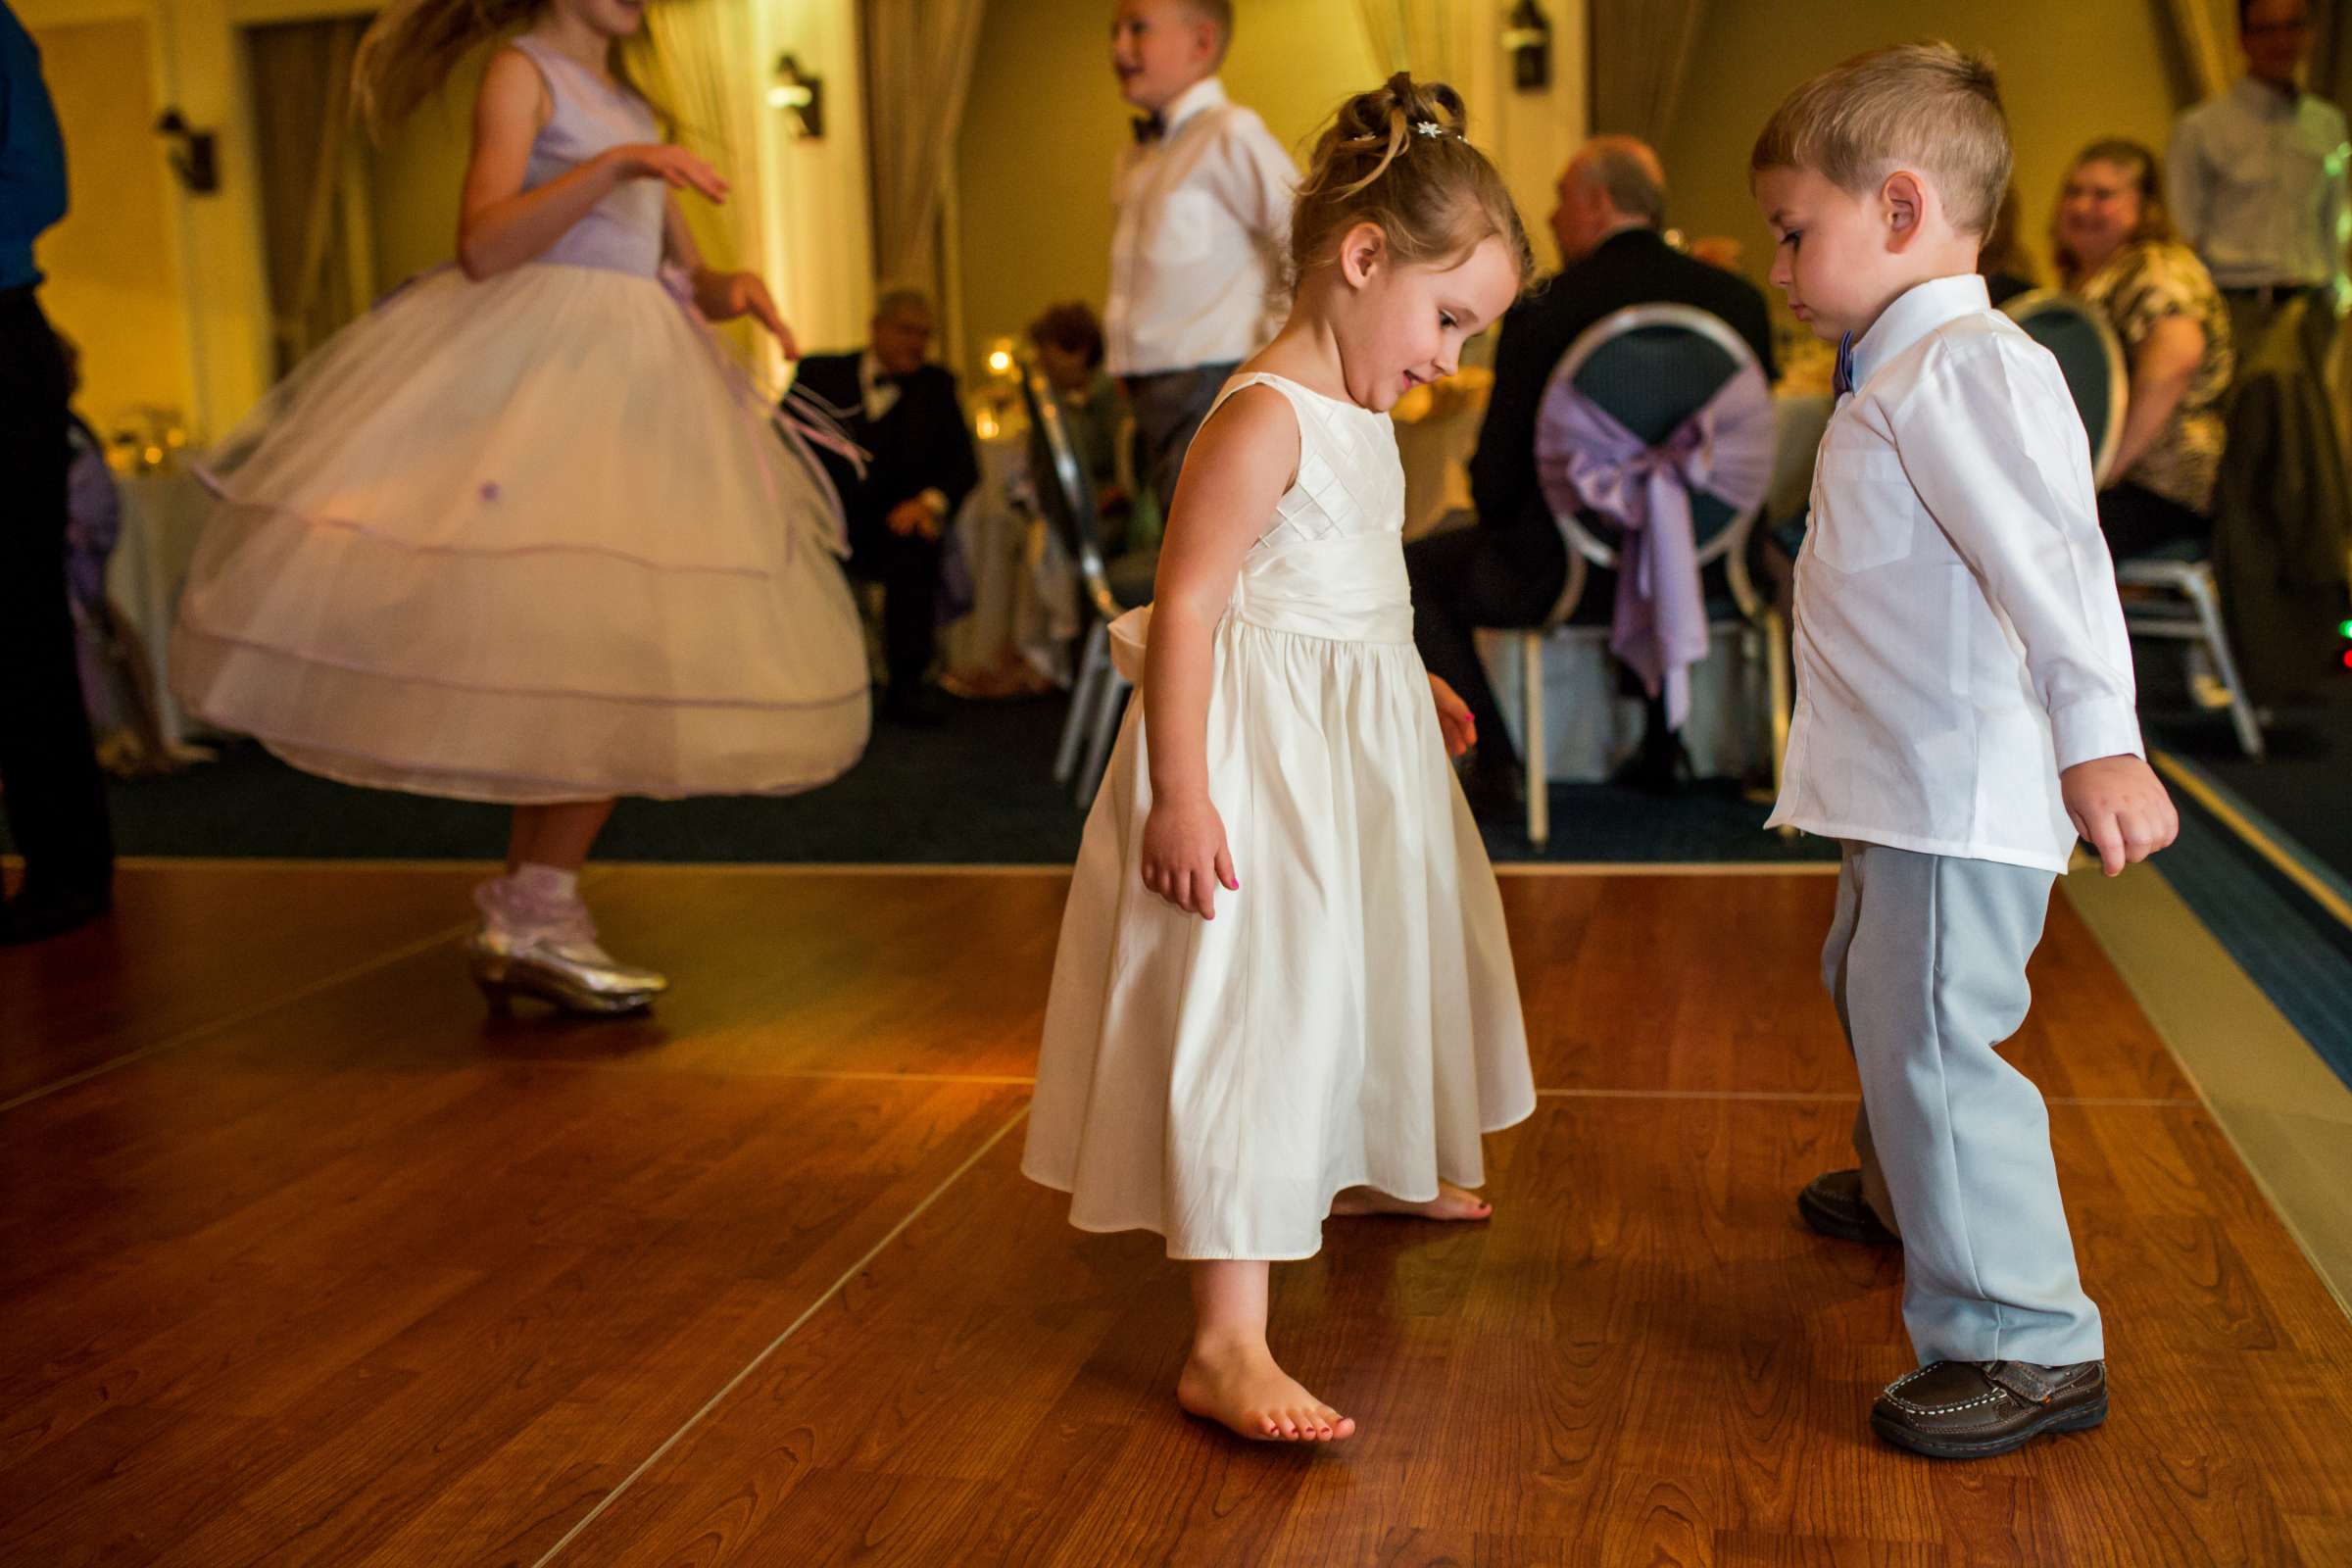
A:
1923, 107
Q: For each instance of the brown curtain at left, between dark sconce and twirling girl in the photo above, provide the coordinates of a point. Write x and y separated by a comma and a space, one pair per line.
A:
302, 128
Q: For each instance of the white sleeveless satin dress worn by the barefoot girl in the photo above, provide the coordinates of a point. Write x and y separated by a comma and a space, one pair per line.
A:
1351, 1017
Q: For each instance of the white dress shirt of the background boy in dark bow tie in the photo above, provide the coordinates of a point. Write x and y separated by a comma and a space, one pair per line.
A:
1196, 260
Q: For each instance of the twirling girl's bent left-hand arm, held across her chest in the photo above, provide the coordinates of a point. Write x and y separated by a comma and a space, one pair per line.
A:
502, 225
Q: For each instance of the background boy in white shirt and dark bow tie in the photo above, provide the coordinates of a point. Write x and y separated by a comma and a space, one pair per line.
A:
1205, 215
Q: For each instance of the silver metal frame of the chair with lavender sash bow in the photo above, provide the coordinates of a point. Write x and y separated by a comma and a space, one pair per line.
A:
1760, 631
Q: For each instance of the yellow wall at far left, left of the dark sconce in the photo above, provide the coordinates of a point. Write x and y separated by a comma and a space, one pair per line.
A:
114, 283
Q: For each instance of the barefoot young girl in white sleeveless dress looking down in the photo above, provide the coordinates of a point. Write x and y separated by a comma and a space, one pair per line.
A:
1283, 986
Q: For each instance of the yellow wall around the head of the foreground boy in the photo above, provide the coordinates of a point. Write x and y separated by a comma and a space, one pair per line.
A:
2071, 74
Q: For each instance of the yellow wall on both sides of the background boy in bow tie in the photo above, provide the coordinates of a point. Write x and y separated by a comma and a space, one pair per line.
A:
1045, 123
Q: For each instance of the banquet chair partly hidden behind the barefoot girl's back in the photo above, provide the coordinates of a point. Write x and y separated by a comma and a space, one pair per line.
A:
1109, 587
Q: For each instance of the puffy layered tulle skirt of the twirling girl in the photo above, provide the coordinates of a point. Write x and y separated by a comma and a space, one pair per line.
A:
526, 540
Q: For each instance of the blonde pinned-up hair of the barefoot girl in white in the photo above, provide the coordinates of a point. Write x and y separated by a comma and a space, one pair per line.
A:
1396, 156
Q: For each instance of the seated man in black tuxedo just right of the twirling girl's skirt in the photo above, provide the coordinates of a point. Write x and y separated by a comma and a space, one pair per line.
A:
911, 417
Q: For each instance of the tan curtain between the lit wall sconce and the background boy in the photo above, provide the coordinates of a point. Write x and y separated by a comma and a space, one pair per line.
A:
918, 69
